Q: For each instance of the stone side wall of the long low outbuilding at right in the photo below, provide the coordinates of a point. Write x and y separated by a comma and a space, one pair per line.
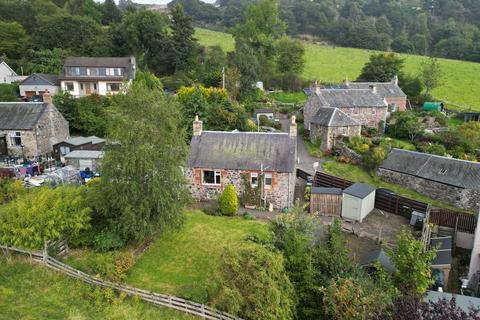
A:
468, 199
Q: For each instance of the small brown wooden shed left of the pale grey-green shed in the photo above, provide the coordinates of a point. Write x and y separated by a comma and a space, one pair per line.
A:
326, 201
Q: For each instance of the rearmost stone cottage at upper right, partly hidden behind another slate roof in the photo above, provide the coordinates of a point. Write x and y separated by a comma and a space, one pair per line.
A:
390, 91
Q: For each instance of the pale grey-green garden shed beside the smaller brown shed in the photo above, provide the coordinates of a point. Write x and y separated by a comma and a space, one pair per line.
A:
358, 201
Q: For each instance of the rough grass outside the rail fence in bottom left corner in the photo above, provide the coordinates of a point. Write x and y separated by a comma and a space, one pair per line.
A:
31, 291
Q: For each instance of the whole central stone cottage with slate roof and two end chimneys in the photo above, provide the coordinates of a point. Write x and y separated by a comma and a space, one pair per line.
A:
220, 158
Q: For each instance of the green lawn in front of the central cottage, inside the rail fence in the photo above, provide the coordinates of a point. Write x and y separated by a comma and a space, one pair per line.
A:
182, 263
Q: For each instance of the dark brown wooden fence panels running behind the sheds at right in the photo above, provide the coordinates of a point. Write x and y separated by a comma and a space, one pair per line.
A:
389, 201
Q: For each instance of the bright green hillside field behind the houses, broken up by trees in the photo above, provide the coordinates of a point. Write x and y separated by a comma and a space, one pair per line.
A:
333, 64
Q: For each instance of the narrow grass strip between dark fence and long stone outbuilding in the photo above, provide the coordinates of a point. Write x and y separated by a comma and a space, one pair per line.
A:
357, 174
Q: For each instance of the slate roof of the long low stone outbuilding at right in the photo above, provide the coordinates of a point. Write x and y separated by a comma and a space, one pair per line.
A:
449, 171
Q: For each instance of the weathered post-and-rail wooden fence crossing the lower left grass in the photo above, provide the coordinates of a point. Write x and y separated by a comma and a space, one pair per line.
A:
179, 304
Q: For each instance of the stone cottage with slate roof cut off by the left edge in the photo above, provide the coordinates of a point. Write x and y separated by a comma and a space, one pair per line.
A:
31, 128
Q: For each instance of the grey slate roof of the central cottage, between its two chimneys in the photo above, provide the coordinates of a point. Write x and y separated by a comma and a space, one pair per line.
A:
243, 151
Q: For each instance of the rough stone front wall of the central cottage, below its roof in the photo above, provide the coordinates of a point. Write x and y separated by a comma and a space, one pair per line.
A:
280, 195
